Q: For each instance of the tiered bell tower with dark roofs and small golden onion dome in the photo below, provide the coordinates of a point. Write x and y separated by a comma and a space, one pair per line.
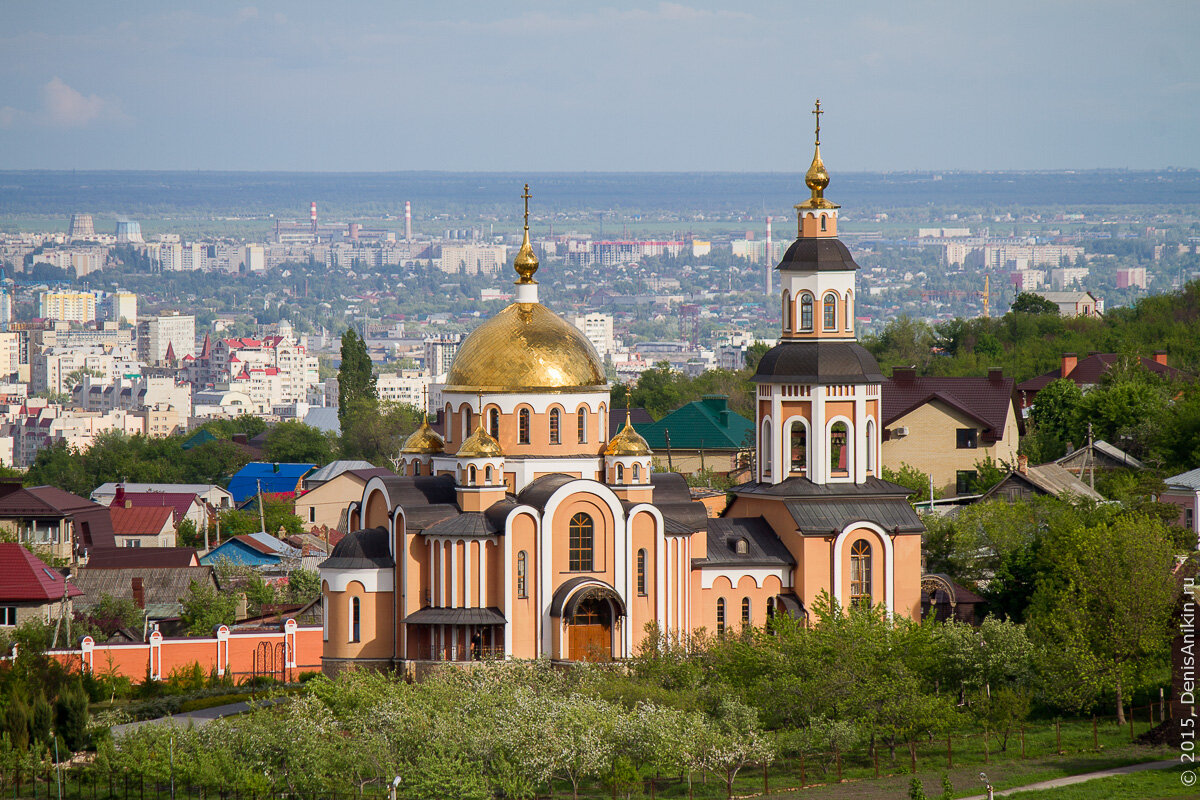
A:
819, 390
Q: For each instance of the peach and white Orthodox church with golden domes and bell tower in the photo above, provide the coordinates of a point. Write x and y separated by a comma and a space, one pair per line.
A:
526, 533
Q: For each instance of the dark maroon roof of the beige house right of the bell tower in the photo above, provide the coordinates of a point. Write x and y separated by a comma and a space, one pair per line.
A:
985, 400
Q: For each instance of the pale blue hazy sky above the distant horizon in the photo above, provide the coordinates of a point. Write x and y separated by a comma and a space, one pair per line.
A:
599, 87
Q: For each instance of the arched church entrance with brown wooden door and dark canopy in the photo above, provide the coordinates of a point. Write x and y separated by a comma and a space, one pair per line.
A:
590, 611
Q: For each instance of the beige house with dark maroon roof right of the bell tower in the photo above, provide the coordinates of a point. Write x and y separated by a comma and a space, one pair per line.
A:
946, 426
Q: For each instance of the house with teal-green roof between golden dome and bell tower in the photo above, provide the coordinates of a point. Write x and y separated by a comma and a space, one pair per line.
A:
705, 434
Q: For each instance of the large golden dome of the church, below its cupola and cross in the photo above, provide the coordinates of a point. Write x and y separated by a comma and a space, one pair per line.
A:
526, 348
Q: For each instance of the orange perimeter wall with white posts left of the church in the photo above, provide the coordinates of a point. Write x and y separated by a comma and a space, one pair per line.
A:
133, 660
